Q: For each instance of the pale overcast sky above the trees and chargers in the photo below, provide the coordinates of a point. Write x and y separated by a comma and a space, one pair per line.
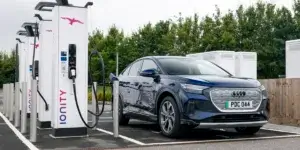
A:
126, 14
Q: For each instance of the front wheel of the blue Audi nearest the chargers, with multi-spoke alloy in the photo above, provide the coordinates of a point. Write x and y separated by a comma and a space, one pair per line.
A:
169, 119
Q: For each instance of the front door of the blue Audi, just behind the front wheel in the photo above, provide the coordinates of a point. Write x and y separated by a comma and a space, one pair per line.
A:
148, 87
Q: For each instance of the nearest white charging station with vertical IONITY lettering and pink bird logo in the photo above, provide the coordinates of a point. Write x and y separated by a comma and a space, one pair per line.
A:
70, 41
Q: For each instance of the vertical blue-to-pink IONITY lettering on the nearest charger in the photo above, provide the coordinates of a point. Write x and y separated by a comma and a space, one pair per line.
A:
62, 107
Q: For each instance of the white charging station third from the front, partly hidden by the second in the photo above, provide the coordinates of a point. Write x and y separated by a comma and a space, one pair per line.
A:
29, 27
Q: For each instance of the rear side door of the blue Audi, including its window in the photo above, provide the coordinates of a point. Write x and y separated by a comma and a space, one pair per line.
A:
133, 89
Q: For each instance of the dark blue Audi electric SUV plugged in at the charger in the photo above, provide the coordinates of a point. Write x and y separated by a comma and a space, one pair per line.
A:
180, 93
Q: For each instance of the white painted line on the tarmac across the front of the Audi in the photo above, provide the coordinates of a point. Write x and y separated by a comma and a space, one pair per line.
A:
223, 140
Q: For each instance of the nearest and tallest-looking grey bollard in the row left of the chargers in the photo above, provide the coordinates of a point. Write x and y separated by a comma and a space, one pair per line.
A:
33, 114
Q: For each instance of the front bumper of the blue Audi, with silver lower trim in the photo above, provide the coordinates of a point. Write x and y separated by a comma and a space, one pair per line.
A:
199, 110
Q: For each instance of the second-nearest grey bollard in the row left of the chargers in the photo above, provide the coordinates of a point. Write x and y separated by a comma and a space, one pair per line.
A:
24, 108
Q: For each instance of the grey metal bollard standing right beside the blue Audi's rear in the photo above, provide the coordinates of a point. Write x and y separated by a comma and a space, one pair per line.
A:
116, 109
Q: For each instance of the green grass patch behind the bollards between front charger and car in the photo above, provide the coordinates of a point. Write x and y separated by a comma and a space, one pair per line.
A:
108, 93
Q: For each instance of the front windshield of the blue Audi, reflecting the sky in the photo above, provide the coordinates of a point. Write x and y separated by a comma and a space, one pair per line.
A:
188, 66
